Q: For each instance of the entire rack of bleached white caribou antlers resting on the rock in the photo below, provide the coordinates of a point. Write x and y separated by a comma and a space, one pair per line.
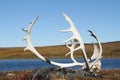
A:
75, 39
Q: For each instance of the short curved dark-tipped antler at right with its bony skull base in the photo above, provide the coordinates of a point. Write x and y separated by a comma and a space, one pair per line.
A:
94, 61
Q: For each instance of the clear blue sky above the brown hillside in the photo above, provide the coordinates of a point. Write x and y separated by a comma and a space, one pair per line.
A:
100, 16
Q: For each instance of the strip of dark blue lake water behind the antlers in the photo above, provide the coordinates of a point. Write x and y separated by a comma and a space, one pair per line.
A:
8, 65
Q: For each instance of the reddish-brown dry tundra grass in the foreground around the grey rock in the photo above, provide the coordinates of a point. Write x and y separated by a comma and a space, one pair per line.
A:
25, 75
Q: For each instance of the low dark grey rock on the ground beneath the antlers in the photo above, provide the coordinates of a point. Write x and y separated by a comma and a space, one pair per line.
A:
59, 73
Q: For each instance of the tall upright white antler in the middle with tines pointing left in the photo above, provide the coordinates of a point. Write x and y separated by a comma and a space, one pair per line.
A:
76, 36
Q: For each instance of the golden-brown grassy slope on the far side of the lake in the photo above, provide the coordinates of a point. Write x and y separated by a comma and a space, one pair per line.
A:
110, 50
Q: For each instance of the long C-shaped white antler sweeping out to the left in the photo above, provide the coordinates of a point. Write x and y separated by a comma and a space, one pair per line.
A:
32, 49
